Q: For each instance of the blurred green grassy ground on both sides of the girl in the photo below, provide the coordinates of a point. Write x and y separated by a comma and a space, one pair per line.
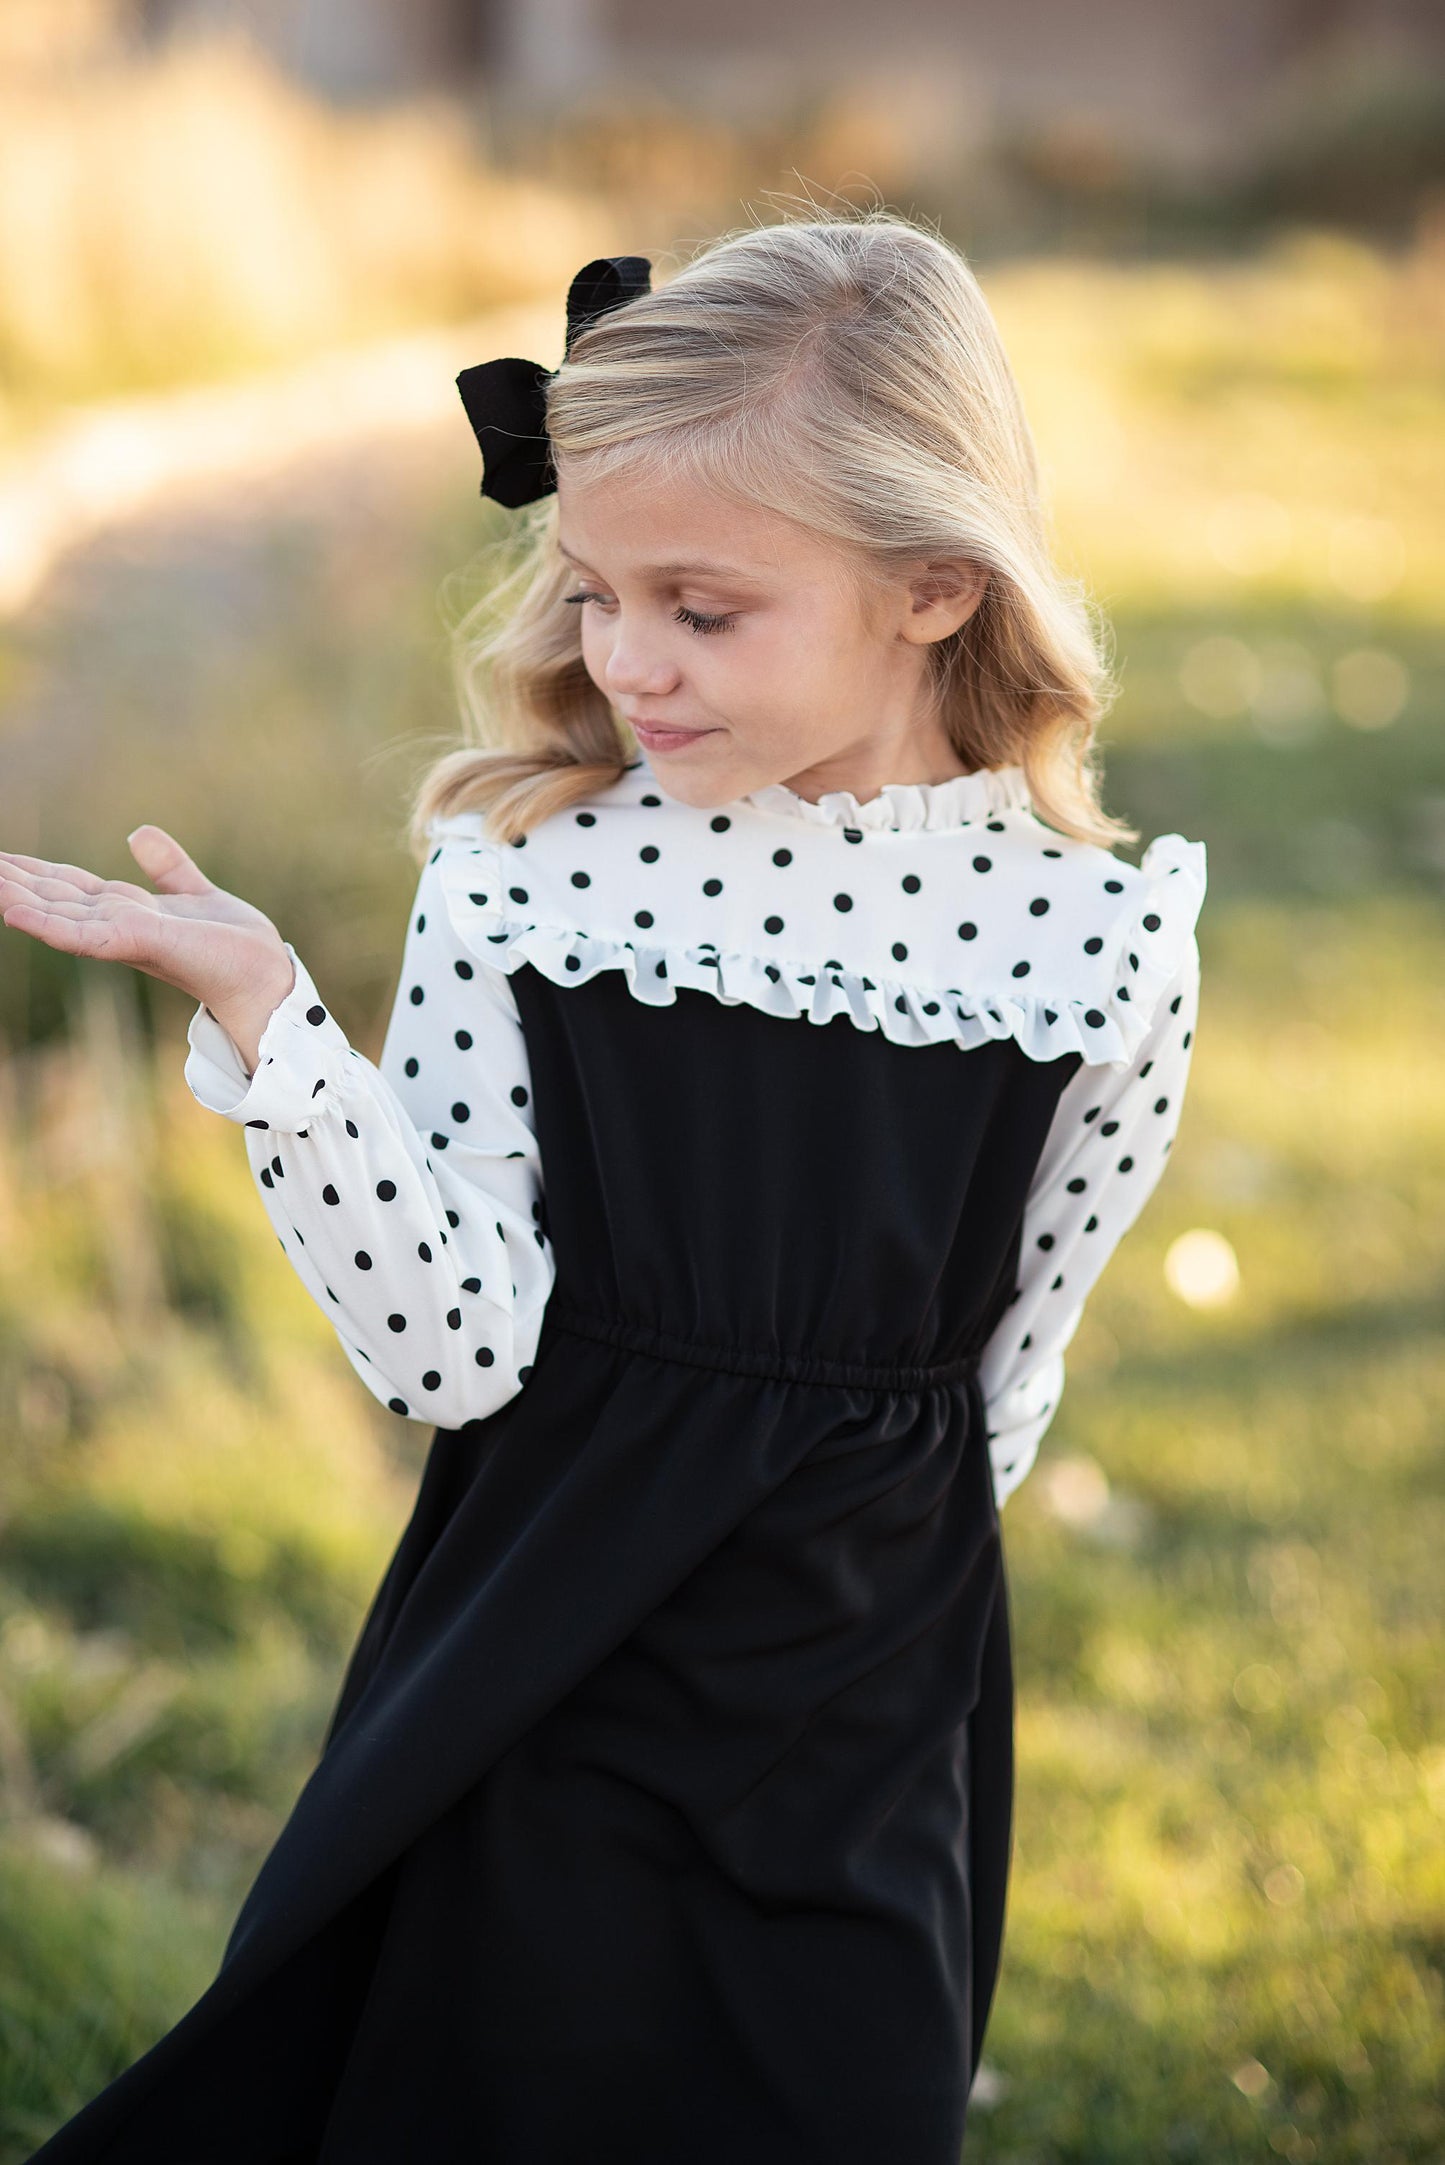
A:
1227, 1924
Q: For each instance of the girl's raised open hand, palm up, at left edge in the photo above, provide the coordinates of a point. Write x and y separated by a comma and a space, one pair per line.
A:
190, 934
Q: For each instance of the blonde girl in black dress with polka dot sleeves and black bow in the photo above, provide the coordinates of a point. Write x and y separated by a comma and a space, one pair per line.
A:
664, 1818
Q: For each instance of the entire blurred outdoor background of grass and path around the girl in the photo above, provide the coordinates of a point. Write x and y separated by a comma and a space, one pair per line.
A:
244, 252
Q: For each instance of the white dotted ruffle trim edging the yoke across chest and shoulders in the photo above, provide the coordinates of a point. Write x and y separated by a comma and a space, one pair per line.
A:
1106, 1027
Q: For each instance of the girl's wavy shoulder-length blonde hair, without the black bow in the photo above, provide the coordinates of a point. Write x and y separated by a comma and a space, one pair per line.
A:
842, 371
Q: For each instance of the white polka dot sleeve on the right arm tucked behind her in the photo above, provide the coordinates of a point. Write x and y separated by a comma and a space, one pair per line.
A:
1104, 1155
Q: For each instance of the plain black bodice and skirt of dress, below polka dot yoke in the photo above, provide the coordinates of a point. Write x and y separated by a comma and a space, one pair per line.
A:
664, 1818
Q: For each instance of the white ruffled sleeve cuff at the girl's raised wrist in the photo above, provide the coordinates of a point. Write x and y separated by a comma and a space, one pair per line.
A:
300, 1062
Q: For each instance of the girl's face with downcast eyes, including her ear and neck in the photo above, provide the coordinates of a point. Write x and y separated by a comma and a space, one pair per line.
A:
744, 651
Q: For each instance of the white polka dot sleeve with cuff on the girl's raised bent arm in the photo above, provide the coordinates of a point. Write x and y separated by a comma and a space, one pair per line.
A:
406, 1194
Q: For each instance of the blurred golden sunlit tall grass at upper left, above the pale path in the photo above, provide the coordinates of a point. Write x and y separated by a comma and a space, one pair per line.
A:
196, 215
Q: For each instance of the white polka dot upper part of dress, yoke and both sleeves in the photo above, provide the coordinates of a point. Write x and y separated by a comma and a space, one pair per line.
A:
408, 1194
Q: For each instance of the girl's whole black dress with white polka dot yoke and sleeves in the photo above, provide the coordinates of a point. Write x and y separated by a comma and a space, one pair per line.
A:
666, 1805
